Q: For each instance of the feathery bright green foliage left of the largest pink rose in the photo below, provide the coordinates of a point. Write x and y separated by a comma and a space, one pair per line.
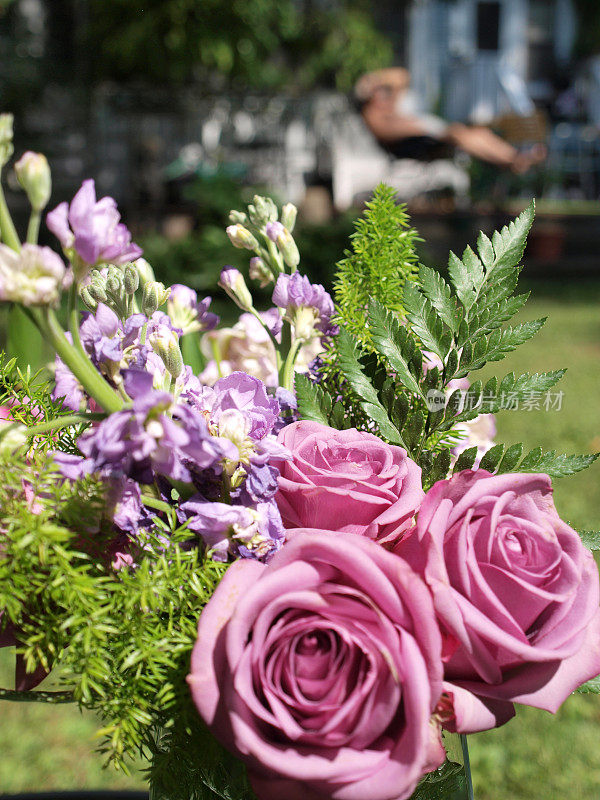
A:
121, 640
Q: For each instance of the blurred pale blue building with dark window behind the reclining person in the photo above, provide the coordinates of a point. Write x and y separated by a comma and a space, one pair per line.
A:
473, 60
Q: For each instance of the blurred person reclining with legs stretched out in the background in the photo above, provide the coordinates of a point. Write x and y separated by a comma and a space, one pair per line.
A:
389, 111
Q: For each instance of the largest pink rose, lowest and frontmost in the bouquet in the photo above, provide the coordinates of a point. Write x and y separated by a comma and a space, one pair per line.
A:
321, 670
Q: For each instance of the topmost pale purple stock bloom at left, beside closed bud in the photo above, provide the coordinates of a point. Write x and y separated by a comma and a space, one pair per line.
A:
93, 228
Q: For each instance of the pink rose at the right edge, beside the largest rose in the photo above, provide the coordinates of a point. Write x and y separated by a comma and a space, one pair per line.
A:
515, 591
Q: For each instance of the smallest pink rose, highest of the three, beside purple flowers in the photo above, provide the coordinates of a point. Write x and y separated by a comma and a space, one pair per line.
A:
346, 481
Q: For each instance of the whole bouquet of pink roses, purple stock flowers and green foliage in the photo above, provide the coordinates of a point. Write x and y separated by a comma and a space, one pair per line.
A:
287, 573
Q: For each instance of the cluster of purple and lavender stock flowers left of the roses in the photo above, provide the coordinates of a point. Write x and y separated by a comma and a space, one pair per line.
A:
209, 438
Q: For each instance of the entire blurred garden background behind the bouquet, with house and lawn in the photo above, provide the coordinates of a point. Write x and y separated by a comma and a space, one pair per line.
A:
183, 109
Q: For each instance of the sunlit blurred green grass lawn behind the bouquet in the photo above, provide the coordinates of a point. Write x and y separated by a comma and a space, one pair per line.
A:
535, 757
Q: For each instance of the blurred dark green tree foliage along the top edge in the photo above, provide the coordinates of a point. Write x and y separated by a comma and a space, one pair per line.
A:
255, 43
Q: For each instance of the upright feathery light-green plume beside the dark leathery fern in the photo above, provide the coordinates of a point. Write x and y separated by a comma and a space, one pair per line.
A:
382, 260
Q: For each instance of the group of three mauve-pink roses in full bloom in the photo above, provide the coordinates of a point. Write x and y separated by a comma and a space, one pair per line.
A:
331, 670
